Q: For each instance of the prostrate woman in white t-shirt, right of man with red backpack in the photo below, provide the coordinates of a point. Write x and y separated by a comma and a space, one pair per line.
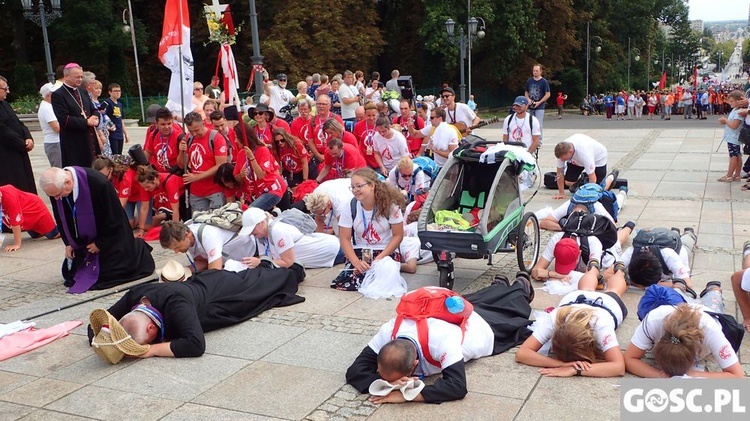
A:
582, 331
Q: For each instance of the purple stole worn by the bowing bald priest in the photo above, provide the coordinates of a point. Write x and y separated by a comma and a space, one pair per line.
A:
85, 224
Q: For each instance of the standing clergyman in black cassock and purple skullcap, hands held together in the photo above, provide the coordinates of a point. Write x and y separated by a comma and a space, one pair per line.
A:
78, 119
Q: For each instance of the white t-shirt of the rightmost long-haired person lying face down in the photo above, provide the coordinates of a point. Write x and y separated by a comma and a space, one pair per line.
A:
651, 330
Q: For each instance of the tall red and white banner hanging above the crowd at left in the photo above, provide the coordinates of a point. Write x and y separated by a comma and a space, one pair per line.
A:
176, 34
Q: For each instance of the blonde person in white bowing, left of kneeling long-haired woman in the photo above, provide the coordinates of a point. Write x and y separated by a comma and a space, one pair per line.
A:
328, 201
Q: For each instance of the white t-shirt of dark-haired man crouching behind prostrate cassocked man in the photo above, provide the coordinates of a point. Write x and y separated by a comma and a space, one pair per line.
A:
216, 243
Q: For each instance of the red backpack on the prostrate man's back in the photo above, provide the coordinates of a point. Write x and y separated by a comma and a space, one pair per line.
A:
429, 302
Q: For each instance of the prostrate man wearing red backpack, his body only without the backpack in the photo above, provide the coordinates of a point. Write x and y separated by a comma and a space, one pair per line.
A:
498, 322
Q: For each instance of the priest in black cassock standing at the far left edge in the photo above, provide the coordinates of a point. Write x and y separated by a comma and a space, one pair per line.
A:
15, 144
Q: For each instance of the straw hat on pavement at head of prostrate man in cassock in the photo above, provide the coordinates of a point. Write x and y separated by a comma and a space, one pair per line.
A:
111, 341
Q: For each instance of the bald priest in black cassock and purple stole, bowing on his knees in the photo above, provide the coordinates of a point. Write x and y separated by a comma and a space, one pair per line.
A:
100, 251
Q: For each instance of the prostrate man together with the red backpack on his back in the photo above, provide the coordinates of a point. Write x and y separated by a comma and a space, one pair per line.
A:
453, 330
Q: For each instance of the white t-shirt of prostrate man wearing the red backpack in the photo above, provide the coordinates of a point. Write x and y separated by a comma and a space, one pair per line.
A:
444, 341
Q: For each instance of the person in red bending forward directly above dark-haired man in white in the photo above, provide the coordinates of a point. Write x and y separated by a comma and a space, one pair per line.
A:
166, 191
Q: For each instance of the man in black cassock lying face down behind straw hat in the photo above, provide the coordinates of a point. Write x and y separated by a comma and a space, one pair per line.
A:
173, 316
